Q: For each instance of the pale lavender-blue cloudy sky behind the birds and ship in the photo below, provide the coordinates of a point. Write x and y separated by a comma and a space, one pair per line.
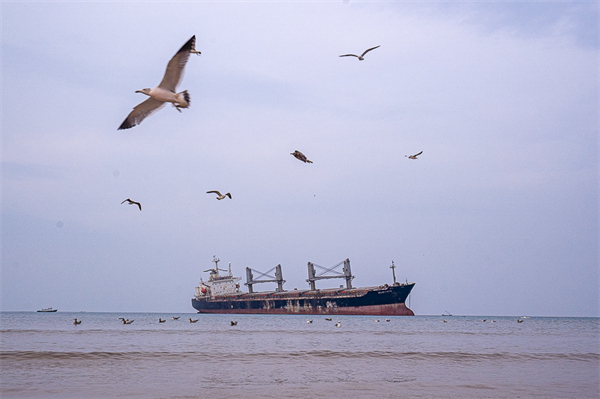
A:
498, 216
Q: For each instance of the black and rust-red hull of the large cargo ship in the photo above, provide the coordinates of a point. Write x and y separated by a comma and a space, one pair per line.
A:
385, 300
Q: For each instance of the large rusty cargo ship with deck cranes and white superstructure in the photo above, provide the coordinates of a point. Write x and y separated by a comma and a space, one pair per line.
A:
222, 294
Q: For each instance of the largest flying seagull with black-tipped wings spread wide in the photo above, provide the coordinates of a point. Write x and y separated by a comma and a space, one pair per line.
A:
166, 91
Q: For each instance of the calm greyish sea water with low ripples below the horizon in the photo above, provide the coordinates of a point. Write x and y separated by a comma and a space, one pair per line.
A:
43, 355
